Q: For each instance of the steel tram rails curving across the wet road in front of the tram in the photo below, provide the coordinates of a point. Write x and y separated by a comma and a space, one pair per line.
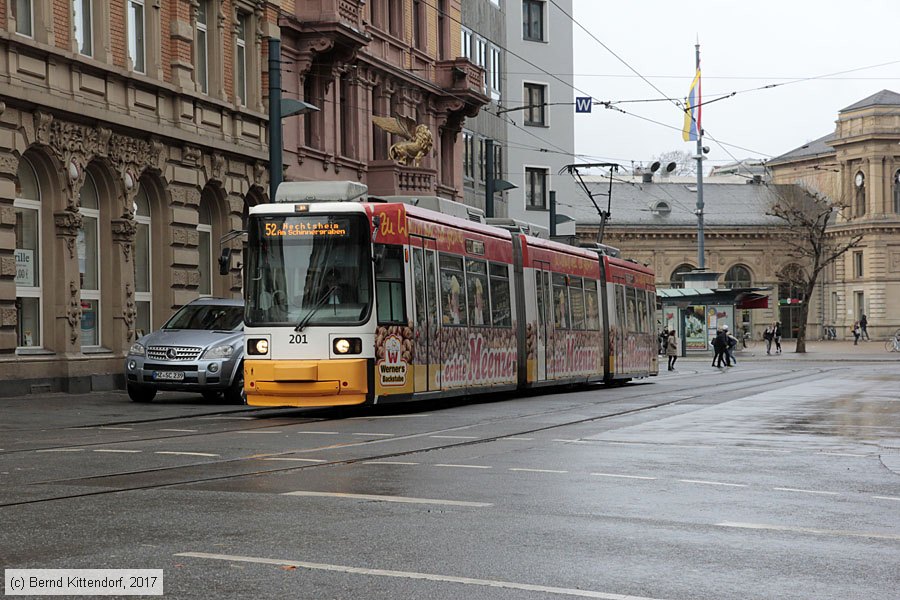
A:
723, 389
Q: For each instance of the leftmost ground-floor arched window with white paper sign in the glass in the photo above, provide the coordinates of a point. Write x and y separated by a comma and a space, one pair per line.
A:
29, 294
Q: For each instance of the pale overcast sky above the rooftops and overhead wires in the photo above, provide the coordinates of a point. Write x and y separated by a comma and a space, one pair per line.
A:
743, 46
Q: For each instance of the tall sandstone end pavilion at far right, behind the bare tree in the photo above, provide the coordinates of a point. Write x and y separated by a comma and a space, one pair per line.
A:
857, 165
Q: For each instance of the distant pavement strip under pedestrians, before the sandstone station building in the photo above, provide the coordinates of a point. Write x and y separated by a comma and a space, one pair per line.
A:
815, 350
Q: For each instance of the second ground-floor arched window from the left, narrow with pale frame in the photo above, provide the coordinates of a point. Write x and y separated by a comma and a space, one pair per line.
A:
88, 244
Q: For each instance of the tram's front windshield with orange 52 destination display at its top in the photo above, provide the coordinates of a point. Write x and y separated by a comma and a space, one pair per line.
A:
308, 270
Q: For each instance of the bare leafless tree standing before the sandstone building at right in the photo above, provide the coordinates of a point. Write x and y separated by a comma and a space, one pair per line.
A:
809, 238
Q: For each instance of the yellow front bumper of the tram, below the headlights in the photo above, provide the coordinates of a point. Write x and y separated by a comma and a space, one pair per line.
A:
306, 382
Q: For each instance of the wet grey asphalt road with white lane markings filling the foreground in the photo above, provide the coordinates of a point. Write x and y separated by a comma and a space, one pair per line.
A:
775, 479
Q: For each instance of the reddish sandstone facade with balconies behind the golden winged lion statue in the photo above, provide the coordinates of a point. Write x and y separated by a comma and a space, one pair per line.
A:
382, 58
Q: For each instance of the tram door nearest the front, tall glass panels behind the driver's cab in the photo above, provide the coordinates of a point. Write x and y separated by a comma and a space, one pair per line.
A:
427, 345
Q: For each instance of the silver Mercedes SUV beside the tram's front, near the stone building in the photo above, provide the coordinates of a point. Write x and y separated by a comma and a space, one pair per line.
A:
200, 349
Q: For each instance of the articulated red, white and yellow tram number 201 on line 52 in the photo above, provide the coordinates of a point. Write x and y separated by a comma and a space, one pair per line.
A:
351, 300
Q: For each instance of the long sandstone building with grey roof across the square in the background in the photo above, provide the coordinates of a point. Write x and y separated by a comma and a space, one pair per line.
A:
858, 165
